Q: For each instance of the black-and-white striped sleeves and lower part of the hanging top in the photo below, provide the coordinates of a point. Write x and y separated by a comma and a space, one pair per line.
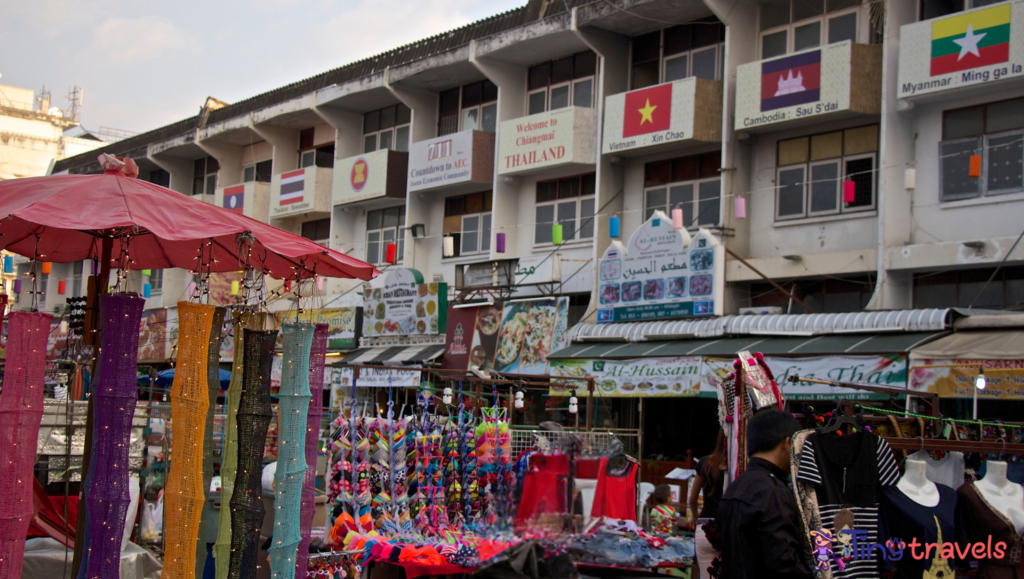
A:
866, 519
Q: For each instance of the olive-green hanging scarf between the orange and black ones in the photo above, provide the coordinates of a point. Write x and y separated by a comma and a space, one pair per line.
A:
230, 460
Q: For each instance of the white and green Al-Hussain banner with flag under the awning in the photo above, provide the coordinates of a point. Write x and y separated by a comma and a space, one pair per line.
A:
678, 377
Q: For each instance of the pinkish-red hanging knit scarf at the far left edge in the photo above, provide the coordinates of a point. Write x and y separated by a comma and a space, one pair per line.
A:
21, 412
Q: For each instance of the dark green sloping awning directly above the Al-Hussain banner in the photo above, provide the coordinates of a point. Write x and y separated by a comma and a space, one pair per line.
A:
770, 346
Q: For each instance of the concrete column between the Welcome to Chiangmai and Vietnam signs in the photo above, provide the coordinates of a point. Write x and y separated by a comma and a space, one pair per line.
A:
614, 71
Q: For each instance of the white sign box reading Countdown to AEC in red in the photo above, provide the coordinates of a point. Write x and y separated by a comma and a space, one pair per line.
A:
461, 160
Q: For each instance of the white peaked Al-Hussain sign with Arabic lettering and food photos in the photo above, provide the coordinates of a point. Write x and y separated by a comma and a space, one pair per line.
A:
661, 274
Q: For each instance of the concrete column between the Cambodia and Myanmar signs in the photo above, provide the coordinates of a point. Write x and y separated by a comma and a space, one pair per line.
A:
894, 291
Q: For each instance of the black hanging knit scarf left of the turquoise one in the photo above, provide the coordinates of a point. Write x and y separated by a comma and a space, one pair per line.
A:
253, 419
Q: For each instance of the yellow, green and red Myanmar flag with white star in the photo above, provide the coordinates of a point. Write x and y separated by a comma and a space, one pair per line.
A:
972, 40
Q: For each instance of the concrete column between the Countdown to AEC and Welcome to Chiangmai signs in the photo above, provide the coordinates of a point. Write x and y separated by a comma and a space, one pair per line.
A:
511, 82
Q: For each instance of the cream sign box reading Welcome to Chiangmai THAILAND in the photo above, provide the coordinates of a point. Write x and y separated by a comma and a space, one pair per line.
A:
547, 140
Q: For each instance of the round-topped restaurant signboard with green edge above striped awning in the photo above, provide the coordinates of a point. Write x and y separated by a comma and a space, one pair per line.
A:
402, 305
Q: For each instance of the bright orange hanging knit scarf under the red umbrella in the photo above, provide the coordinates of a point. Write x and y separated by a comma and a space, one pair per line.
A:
185, 498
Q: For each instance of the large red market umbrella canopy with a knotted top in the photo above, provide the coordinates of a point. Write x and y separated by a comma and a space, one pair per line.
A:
66, 219
